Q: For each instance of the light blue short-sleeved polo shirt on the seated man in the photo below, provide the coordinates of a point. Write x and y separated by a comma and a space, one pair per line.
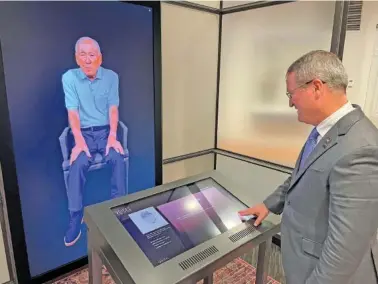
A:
92, 99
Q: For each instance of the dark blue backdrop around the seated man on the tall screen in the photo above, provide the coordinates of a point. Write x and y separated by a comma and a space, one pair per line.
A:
37, 40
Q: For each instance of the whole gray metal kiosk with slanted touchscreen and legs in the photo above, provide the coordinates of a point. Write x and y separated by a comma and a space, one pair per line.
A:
179, 232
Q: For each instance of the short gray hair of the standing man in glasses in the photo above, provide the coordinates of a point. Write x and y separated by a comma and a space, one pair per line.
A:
322, 65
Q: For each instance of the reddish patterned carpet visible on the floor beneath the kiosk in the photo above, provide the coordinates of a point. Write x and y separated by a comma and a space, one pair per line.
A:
236, 272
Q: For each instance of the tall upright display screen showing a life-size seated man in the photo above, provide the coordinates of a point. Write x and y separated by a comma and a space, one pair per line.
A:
79, 80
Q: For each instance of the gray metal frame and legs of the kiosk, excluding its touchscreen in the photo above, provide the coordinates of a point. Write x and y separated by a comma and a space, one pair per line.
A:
110, 244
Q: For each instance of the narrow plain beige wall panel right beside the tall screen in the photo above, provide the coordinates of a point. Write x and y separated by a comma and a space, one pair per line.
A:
189, 73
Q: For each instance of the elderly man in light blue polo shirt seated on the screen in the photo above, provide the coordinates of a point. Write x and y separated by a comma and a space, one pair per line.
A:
91, 98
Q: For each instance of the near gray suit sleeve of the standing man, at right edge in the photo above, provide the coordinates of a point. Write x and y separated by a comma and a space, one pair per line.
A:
353, 211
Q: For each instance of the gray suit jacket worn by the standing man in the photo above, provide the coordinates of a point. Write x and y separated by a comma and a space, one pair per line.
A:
330, 208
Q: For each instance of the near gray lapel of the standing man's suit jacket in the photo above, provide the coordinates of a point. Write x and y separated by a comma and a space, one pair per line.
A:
327, 142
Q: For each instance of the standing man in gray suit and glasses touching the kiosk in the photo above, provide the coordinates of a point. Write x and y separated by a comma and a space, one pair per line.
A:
329, 204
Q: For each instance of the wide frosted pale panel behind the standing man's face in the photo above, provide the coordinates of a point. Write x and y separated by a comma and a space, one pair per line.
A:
257, 48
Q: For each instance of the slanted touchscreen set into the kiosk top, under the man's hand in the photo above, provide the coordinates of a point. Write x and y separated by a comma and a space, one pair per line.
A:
167, 224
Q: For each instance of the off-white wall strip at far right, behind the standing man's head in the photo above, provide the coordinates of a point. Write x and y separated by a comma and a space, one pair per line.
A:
358, 55
